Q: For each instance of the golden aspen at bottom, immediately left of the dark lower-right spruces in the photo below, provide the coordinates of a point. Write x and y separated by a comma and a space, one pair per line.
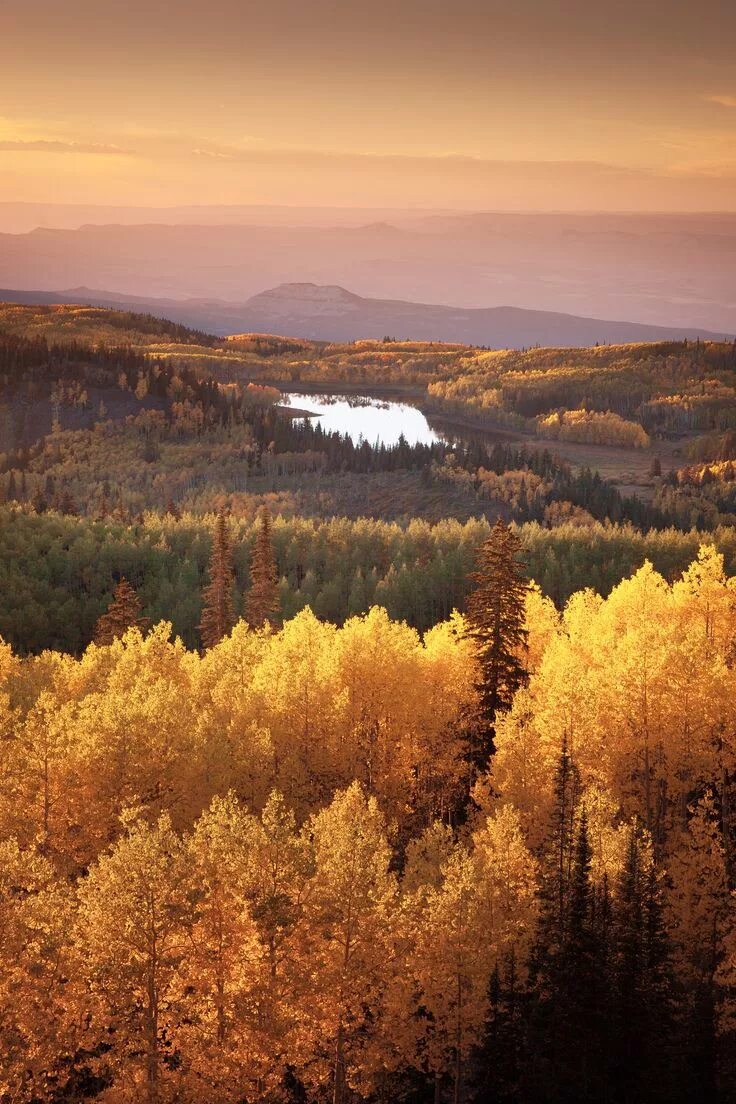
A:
467, 910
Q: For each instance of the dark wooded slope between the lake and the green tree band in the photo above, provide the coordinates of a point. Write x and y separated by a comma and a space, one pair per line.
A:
193, 453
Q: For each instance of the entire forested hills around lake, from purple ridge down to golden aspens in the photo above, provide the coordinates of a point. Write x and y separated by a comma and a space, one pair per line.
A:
115, 458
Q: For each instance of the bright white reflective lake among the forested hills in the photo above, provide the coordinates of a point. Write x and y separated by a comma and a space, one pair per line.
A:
366, 419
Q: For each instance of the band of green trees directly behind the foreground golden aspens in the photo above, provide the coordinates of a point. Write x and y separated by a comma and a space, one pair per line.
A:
58, 572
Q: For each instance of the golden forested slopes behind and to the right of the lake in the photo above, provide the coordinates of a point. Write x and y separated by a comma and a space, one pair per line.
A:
663, 388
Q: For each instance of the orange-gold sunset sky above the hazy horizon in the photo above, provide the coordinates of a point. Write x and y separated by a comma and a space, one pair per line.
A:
470, 105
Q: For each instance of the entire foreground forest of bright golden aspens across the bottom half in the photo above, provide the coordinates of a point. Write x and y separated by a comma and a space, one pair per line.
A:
272, 873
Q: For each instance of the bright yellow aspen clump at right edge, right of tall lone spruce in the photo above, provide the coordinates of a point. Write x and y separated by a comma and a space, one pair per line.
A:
639, 687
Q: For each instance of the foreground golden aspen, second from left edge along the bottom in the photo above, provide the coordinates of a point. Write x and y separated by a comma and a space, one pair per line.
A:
132, 939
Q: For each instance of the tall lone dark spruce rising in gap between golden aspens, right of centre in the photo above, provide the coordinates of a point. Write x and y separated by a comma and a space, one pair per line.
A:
496, 623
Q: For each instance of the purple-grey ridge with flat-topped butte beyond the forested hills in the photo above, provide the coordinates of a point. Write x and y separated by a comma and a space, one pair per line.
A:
333, 314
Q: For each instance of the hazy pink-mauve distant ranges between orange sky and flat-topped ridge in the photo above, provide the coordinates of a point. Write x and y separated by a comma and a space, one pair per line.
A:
669, 271
